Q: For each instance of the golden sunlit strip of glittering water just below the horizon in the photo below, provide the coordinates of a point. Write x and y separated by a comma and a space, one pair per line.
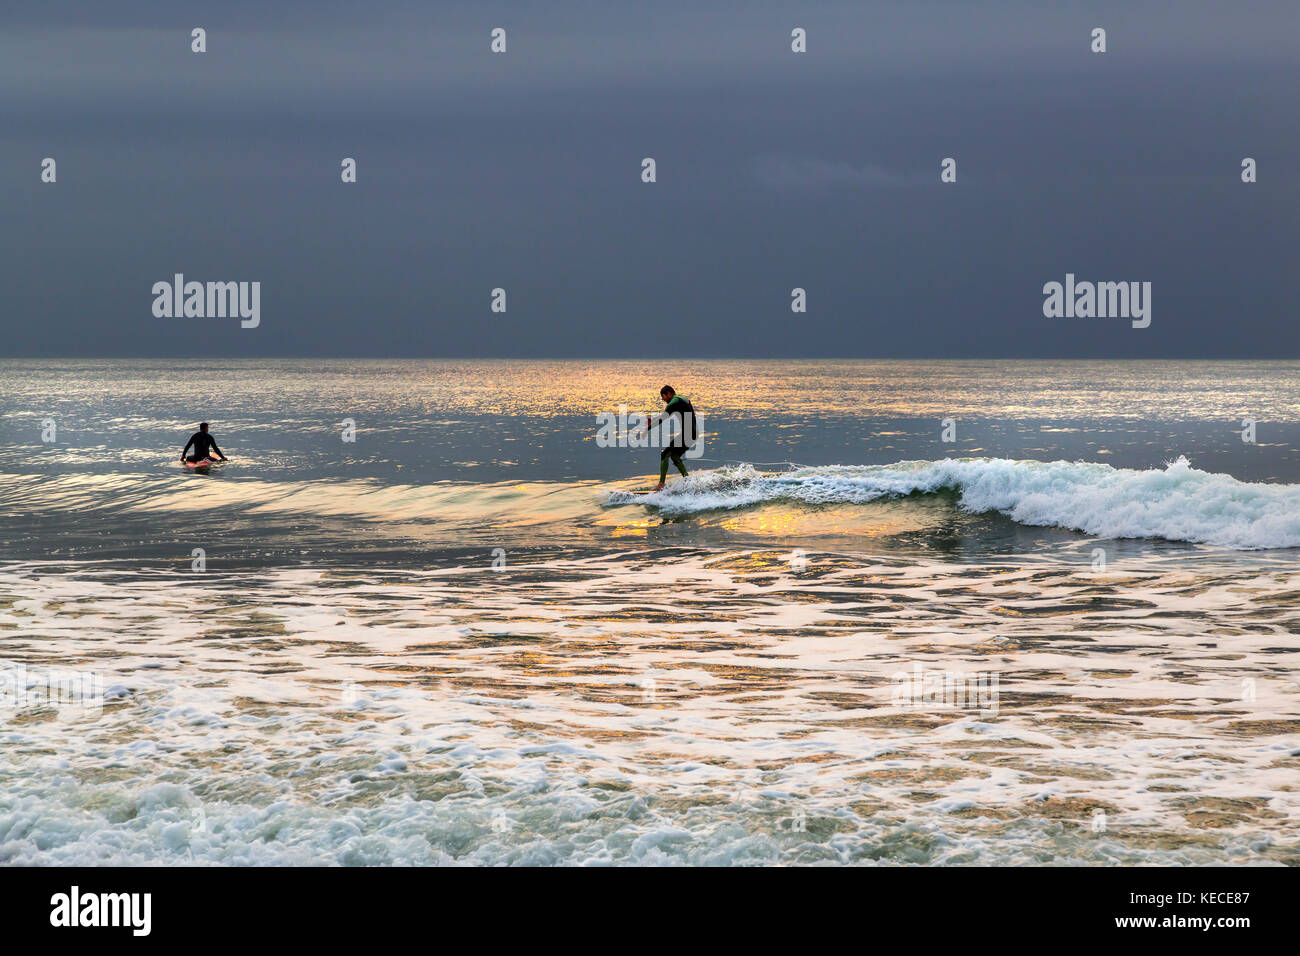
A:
1138, 391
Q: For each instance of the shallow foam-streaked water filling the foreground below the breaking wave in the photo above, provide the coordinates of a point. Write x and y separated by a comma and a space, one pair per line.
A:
671, 707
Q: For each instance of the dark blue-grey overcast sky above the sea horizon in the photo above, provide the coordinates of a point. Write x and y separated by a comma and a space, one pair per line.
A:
775, 171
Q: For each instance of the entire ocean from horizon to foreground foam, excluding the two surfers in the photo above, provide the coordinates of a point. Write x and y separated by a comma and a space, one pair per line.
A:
1067, 637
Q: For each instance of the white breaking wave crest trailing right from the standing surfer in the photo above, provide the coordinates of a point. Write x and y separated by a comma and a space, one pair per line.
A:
1177, 503
